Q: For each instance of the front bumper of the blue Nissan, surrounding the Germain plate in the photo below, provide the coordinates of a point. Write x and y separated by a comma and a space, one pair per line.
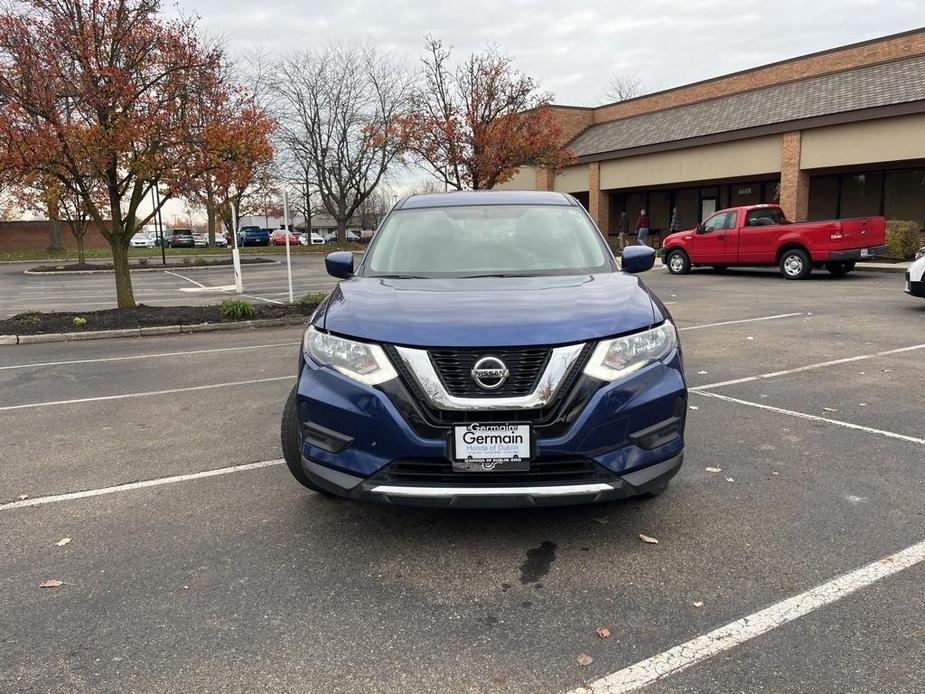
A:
623, 438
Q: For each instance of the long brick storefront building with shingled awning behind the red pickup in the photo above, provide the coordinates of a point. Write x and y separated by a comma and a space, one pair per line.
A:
838, 133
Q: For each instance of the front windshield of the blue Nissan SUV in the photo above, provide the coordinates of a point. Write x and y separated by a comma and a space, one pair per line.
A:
487, 240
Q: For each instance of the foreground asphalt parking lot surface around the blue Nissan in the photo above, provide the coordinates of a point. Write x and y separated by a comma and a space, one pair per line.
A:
804, 465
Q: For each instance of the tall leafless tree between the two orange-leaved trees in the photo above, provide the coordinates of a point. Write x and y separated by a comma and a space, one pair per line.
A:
340, 107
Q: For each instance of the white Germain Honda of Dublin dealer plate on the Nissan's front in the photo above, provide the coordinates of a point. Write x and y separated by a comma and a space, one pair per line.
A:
491, 447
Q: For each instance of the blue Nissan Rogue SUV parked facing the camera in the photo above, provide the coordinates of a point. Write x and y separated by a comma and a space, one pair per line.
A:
488, 352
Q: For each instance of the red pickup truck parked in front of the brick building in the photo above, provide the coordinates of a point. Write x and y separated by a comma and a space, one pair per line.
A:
761, 235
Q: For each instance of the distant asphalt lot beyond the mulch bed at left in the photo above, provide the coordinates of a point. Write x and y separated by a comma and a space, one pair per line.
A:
180, 286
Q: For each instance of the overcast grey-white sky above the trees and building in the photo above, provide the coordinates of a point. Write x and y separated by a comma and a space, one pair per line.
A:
572, 46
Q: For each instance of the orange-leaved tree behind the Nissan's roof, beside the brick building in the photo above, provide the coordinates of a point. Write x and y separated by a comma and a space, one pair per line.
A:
476, 125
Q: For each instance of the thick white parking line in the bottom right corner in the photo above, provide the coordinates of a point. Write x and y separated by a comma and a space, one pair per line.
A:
681, 657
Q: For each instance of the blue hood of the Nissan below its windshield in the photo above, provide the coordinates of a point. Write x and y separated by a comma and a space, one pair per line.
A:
489, 312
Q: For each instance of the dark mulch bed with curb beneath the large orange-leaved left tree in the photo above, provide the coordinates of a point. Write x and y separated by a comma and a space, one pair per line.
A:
34, 323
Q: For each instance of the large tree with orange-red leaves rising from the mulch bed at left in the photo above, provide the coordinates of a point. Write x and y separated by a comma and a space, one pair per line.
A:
106, 91
